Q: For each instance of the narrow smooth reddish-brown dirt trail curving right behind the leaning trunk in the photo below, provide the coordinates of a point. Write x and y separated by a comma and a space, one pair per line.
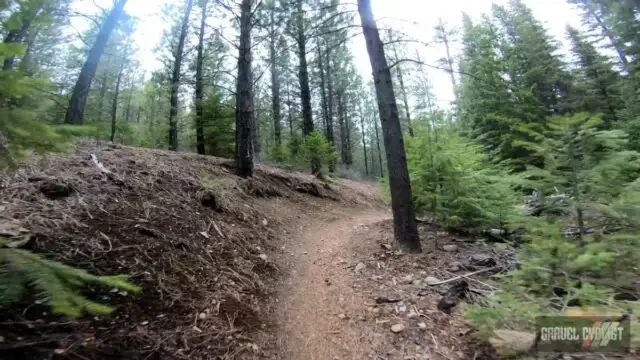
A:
319, 307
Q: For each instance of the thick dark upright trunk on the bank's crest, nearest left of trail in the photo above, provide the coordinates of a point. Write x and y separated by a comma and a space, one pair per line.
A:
244, 96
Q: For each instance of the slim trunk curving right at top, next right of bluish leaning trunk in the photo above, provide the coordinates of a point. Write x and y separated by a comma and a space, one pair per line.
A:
175, 80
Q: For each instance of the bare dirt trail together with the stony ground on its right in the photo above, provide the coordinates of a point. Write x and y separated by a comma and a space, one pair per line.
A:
329, 310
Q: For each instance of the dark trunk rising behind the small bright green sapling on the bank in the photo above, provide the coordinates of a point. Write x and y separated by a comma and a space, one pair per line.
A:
305, 91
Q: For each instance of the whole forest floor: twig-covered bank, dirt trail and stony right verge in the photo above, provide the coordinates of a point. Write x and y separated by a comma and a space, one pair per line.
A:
277, 266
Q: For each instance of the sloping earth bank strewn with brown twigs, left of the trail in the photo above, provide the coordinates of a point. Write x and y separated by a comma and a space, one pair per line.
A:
195, 237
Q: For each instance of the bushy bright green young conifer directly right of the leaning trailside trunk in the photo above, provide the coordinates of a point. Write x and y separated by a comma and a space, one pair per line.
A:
454, 181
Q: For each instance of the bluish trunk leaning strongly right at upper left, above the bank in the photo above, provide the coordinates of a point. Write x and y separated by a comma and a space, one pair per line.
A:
78, 101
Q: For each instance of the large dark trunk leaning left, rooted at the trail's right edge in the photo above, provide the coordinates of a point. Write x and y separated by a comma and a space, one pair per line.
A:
404, 221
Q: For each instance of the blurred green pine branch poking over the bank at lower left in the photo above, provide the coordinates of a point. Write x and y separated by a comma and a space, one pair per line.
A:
56, 284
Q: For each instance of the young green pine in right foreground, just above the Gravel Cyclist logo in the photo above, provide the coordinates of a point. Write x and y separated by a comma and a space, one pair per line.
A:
589, 255
